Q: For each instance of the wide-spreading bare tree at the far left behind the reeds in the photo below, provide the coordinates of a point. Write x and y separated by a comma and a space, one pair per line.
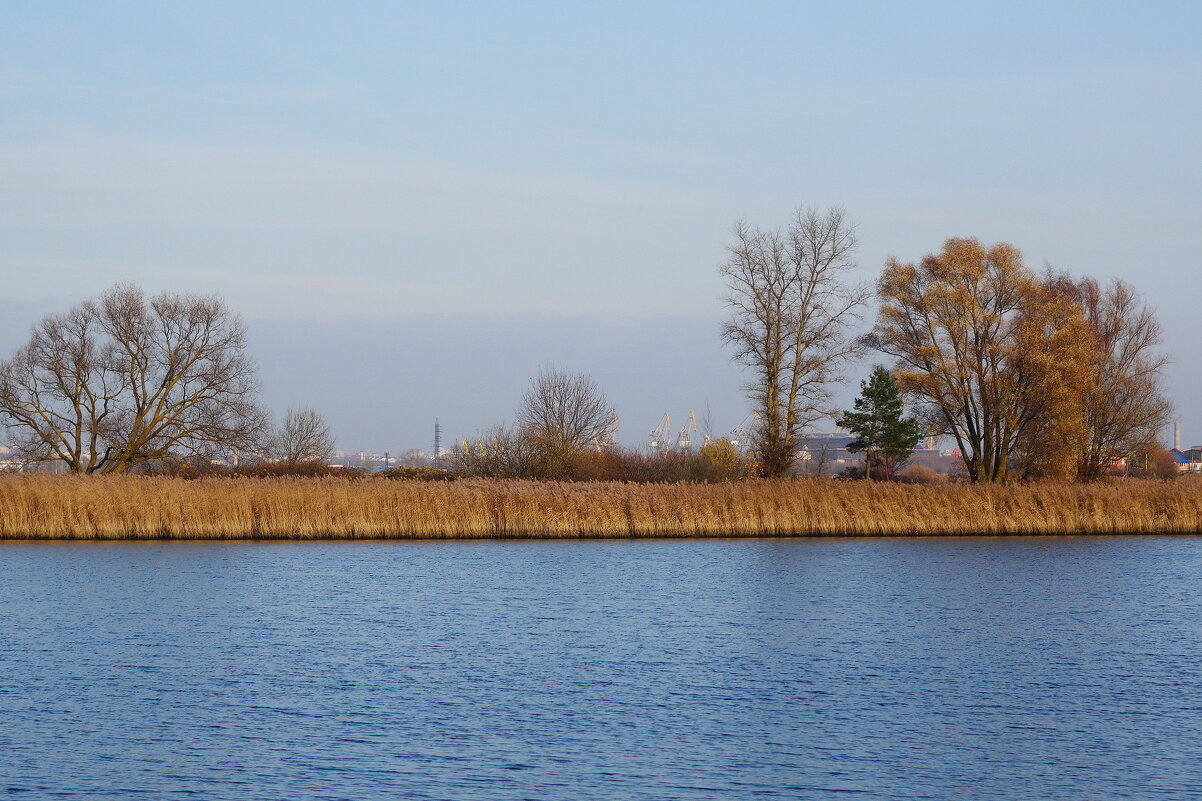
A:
127, 381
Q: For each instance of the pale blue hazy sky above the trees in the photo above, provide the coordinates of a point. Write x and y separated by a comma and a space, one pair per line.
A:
415, 206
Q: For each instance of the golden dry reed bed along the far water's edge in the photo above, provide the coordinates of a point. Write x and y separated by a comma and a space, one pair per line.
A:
39, 507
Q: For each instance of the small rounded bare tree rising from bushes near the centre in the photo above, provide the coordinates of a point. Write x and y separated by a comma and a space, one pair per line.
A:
567, 412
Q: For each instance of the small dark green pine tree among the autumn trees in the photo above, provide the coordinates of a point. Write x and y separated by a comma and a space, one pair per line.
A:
882, 432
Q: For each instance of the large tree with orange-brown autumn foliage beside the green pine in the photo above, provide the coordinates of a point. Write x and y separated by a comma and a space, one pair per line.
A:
995, 358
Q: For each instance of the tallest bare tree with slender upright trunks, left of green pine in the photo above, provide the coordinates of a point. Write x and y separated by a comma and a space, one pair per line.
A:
792, 306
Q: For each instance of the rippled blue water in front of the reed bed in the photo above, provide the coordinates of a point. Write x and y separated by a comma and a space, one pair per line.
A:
747, 669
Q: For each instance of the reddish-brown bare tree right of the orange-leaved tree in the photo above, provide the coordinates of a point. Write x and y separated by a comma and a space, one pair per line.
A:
1126, 407
